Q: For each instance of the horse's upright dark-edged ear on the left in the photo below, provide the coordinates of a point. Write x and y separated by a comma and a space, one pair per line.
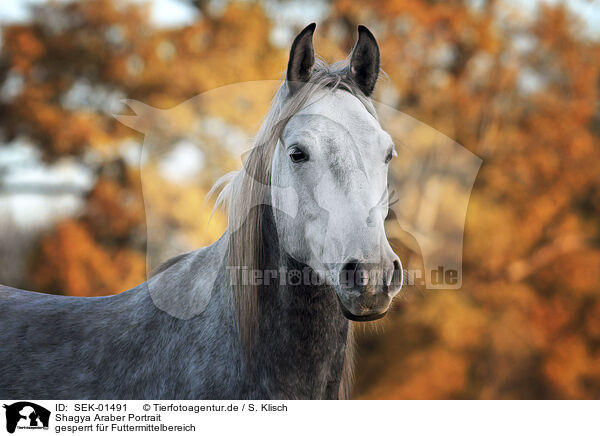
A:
302, 59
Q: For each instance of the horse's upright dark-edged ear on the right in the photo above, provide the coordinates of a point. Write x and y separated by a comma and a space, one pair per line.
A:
364, 62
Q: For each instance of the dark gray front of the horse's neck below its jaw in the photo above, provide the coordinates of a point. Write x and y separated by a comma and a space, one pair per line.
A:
302, 333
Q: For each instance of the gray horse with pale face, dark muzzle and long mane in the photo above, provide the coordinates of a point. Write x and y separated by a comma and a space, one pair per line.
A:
211, 324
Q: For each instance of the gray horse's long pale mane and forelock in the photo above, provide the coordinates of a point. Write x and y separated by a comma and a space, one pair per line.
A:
246, 193
